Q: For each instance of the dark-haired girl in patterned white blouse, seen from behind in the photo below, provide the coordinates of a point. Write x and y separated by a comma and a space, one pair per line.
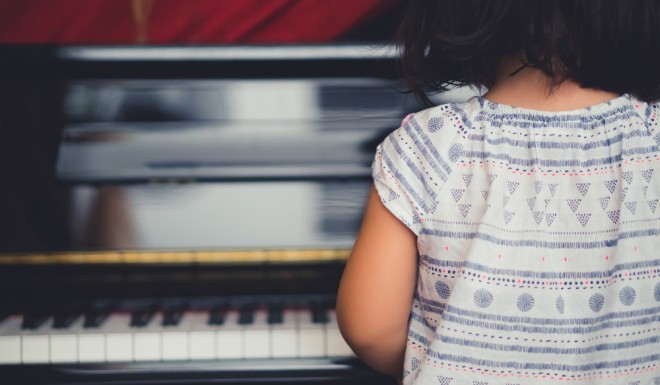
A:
515, 238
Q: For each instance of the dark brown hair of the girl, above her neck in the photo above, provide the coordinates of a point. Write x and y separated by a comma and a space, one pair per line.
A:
613, 45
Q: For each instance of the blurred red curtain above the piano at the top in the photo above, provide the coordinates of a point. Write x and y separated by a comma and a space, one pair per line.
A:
182, 21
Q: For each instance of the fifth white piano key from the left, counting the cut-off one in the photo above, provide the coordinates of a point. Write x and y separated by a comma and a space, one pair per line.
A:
118, 338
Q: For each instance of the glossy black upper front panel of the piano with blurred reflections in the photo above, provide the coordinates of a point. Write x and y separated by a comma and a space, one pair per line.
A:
190, 164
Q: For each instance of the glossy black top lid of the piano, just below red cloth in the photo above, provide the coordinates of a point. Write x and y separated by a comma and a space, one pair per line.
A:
201, 61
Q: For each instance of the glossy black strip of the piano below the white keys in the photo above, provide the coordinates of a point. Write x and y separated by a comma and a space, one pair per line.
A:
254, 372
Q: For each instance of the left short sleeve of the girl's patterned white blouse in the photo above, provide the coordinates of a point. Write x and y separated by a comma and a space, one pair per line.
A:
409, 170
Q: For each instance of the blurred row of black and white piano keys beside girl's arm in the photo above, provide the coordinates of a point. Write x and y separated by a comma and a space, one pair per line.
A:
176, 334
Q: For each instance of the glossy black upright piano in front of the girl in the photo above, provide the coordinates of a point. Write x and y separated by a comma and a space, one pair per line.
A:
182, 215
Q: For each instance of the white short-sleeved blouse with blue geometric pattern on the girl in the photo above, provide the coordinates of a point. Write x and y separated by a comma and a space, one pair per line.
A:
539, 242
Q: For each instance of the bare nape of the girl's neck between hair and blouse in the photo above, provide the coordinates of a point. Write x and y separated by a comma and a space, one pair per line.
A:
528, 88
